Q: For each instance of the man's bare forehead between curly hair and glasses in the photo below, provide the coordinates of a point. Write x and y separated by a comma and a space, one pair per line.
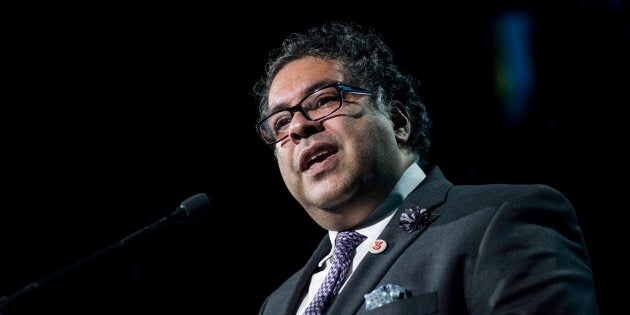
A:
299, 77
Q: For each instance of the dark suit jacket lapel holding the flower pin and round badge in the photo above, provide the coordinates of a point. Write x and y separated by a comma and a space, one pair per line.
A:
429, 194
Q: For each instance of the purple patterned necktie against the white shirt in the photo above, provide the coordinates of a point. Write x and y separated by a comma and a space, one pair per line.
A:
345, 244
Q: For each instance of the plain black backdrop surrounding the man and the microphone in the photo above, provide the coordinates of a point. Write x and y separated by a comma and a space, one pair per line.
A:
114, 115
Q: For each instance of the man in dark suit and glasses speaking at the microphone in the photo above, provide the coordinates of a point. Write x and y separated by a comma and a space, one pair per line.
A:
351, 138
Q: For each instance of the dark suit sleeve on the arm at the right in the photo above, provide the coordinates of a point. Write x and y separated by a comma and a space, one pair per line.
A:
533, 259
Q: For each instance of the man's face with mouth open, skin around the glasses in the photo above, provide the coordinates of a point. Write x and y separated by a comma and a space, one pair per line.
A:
339, 168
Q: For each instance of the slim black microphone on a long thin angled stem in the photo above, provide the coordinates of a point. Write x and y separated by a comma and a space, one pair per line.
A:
192, 207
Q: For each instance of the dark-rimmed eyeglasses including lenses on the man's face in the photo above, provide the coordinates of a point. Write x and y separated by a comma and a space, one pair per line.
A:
319, 104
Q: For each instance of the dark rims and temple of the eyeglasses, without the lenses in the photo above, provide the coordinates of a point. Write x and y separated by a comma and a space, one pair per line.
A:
339, 86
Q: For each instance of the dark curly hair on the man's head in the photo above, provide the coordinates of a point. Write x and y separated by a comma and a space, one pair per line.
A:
367, 62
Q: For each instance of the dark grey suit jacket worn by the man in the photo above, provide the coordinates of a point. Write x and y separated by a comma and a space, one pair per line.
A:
493, 249
